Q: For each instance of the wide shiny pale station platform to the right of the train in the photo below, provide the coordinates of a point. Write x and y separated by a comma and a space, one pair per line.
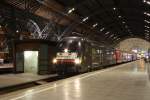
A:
123, 82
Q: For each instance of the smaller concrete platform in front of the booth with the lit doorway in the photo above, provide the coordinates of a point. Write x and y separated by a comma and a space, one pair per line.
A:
7, 80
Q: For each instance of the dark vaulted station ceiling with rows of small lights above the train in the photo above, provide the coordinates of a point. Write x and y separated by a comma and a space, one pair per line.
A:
115, 19
